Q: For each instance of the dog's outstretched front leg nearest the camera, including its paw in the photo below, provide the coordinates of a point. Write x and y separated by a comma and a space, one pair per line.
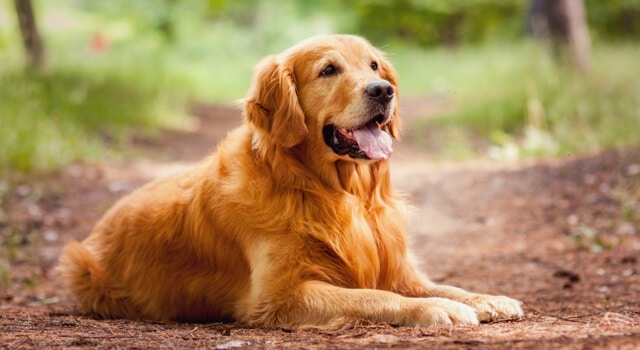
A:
321, 304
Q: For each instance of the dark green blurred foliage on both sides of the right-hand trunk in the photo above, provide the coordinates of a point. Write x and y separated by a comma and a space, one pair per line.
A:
455, 22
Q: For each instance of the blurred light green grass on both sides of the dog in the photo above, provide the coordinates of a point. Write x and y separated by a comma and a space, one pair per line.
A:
509, 100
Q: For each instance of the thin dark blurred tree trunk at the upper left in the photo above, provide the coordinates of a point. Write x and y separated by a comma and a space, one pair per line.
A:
30, 34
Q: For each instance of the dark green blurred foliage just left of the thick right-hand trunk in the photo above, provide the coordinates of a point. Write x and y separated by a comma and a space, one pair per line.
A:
435, 22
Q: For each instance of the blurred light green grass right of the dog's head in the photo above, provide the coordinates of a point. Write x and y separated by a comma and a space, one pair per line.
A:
518, 100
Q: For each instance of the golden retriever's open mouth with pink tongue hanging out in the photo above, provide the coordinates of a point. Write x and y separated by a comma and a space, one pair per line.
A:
366, 142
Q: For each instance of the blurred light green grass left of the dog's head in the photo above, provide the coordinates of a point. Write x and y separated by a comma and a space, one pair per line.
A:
85, 105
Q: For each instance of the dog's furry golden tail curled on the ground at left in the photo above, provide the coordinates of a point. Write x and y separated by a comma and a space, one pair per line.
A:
80, 272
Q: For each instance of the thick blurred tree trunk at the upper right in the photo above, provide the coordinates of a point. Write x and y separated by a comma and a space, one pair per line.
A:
564, 23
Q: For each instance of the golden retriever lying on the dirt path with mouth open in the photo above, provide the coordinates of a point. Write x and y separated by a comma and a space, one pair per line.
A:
292, 222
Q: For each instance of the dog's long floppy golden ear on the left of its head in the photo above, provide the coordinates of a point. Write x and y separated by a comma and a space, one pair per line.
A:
272, 104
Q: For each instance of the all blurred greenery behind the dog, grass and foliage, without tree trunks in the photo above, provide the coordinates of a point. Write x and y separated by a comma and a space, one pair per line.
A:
117, 67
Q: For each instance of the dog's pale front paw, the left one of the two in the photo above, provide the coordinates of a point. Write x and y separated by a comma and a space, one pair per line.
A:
444, 312
